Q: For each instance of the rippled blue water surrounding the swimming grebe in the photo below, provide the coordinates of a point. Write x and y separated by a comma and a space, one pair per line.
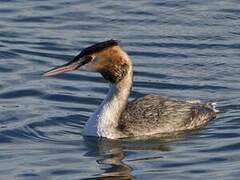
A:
185, 49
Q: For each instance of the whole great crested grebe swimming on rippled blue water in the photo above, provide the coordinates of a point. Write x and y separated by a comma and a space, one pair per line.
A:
116, 117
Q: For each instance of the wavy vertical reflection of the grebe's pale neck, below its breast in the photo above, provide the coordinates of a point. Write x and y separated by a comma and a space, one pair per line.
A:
109, 152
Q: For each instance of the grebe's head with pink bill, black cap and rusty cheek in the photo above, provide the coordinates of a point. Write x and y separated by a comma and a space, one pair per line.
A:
106, 57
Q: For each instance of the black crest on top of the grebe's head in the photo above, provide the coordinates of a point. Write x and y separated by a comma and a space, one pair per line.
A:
98, 47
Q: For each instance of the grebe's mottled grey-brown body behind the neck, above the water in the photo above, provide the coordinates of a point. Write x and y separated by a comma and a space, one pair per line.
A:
153, 114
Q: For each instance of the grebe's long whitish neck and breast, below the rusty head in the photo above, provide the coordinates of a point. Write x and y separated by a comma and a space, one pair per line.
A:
105, 119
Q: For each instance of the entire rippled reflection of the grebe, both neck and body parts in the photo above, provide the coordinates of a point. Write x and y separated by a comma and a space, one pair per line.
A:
111, 154
